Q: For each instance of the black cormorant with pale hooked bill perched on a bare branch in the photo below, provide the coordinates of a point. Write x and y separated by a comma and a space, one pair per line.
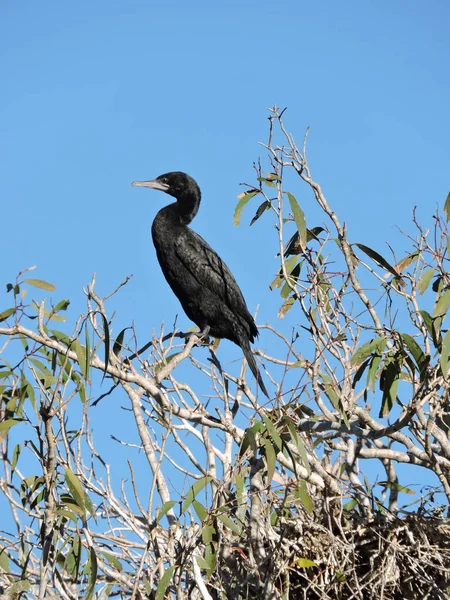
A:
199, 278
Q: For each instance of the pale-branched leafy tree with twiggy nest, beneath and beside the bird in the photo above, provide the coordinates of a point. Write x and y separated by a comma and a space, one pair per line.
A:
307, 496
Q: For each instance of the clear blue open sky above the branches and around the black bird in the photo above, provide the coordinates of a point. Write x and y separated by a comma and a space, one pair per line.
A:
98, 94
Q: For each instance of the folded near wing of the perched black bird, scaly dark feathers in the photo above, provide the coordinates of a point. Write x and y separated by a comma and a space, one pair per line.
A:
210, 271
